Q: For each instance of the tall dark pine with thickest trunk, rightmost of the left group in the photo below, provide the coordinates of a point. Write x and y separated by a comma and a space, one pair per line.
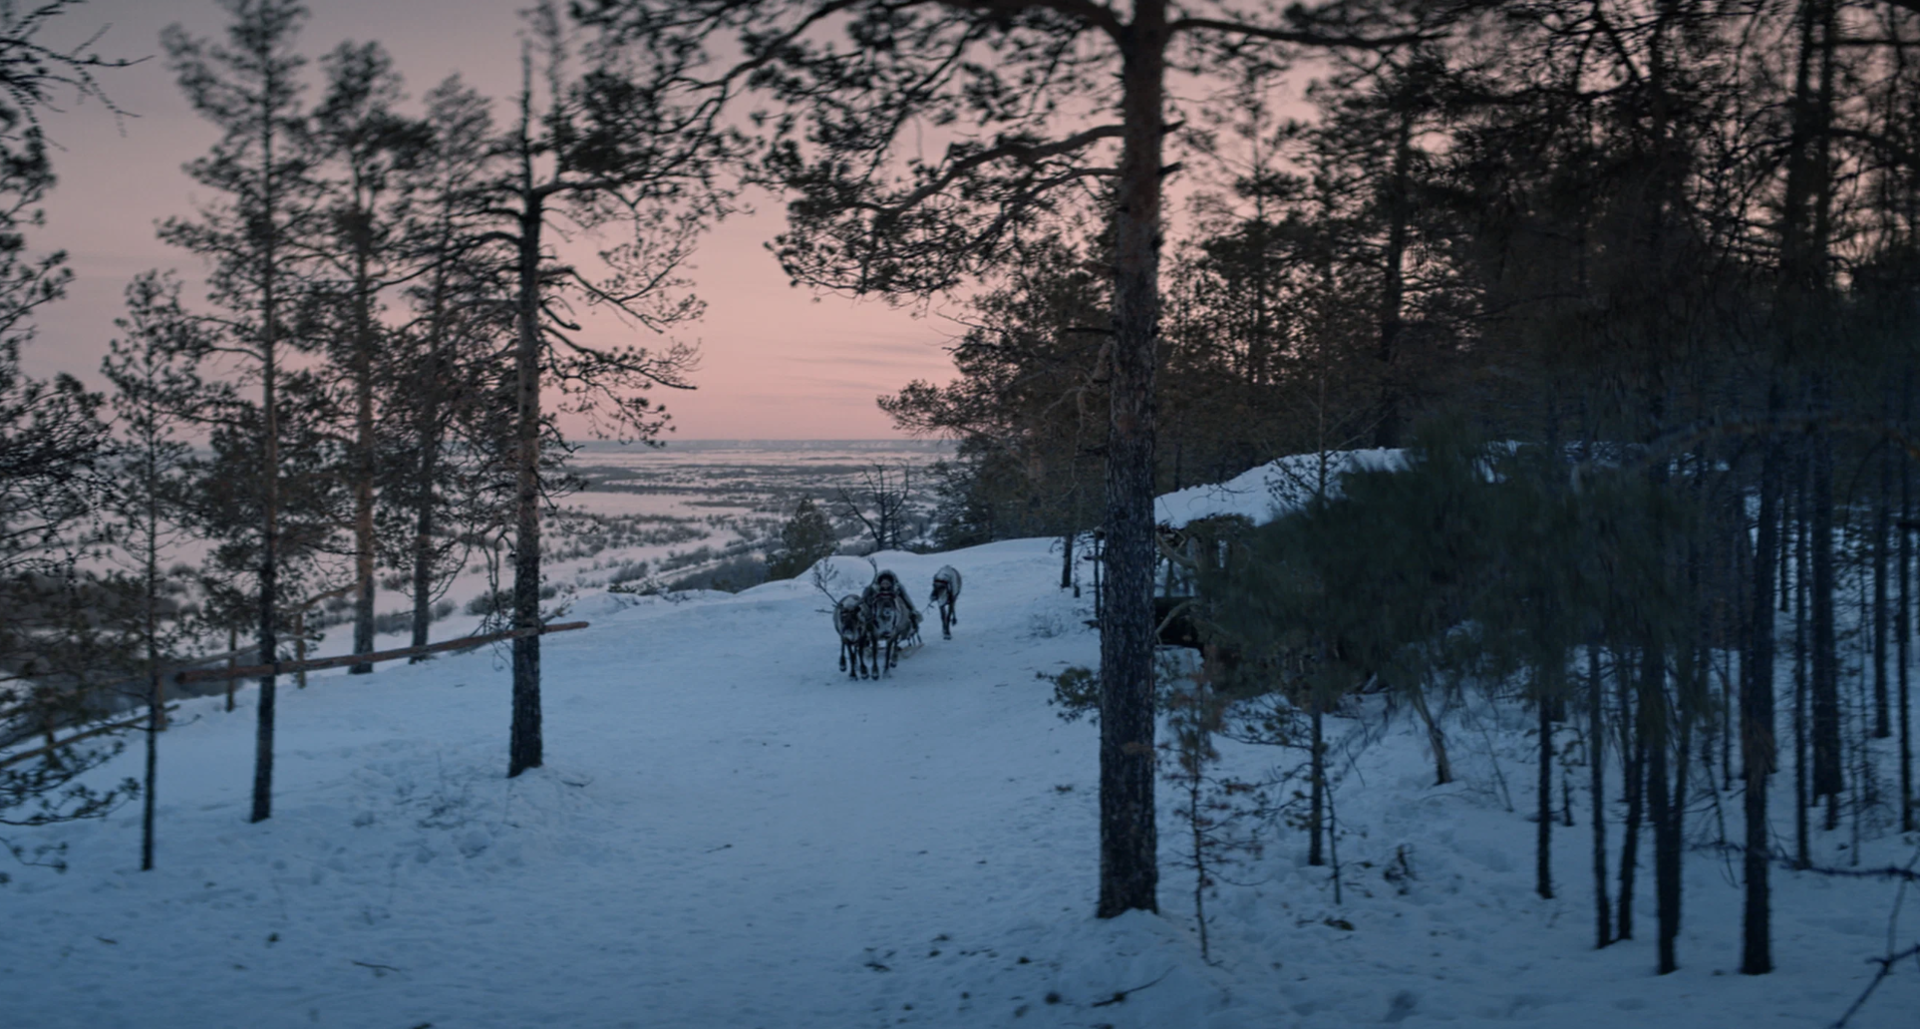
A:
608, 149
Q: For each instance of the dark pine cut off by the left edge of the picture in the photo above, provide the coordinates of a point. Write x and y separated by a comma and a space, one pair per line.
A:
53, 466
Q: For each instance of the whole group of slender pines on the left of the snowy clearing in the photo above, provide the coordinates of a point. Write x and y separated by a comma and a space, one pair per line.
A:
368, 389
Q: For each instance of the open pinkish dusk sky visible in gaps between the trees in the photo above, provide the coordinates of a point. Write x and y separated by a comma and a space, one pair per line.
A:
777, 362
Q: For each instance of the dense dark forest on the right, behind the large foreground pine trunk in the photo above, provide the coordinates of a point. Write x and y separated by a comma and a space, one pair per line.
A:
1646, 274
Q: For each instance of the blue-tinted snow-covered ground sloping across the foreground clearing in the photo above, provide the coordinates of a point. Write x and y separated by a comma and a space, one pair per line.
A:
732, 834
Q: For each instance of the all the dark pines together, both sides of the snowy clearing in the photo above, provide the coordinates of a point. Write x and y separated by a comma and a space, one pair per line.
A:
1633, 283
